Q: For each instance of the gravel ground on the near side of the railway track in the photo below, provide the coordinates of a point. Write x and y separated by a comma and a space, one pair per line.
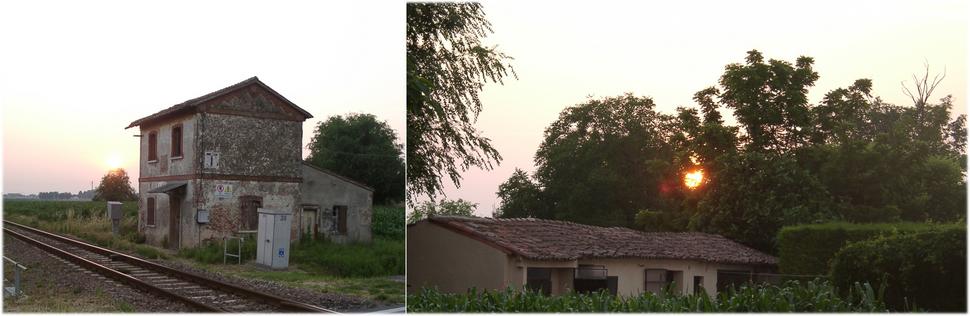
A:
47, 273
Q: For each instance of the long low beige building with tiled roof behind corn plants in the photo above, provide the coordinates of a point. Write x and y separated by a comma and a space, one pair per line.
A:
454, 254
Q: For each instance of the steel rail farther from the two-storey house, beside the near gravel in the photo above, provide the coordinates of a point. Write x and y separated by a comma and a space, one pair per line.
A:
111, 273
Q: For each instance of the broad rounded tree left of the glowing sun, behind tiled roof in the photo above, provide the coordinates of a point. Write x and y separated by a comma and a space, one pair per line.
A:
605, 159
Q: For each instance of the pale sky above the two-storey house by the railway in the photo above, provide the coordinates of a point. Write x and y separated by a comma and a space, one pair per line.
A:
74, 74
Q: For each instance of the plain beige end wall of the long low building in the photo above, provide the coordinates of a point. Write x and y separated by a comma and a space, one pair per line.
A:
452, 262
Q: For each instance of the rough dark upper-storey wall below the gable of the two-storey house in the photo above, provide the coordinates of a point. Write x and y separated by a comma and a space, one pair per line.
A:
251, 146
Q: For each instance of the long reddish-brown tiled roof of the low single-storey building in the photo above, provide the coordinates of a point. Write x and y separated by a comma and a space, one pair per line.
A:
540, 239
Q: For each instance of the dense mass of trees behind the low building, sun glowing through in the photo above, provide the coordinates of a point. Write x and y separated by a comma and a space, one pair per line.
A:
615, 161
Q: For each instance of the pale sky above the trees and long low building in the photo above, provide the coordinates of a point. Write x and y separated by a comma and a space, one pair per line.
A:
671, 49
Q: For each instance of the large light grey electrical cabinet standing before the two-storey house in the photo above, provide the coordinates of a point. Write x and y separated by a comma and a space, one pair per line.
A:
273, 238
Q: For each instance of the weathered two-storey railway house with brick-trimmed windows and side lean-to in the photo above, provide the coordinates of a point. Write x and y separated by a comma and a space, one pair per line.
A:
208, 164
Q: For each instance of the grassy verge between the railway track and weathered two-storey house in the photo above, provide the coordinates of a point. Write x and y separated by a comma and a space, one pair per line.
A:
359, 269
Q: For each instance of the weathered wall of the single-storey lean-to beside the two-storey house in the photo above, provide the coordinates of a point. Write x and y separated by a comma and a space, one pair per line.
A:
324, 191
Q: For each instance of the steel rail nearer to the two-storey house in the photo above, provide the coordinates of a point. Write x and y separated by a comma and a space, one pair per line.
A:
185, 275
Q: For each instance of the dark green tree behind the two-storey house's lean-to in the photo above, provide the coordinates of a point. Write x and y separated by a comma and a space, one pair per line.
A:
362, 148
